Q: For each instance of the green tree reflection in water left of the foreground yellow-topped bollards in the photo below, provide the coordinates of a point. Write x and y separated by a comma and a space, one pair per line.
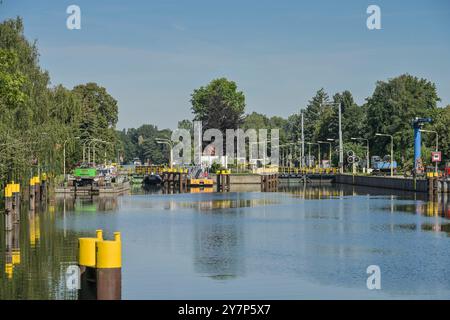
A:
44, 254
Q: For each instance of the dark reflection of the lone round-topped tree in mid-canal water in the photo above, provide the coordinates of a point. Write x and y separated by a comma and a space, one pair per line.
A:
218, 247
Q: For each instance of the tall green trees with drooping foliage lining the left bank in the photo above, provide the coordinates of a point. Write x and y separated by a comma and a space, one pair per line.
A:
36, 119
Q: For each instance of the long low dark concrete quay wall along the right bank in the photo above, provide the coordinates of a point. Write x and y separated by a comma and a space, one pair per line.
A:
384, 182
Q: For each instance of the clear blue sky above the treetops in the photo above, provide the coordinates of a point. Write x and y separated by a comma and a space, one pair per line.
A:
151, 55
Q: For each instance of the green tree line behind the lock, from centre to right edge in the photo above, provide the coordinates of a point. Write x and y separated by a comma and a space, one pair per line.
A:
389, 110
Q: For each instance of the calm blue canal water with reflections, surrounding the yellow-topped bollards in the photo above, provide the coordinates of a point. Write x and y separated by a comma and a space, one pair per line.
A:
312, 242
